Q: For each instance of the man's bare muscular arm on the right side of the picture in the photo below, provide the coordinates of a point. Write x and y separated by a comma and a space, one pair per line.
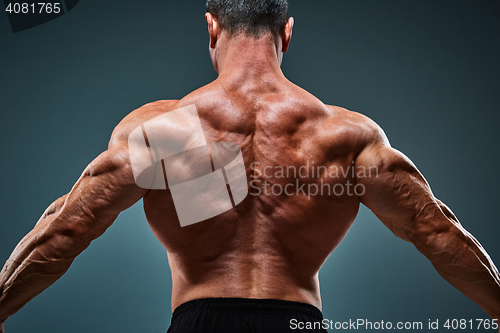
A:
401, 198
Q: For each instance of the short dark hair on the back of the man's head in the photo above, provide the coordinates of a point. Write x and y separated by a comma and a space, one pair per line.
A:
253, 17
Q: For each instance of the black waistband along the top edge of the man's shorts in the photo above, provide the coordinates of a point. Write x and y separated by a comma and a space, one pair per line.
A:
249, 305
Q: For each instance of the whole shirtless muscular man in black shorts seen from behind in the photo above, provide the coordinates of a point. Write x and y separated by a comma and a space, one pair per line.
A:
308, 167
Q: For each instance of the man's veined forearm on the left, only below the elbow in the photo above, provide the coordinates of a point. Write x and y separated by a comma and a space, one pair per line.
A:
66, 229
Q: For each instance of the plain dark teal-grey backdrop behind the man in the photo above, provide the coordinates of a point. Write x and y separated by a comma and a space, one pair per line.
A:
427, 71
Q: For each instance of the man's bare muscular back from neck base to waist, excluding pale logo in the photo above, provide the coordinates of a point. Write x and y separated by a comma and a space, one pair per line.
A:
273, 244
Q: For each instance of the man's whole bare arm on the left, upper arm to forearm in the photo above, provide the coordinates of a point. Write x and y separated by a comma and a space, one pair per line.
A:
67, 227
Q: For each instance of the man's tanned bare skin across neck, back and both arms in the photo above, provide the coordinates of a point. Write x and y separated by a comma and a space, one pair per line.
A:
269, 246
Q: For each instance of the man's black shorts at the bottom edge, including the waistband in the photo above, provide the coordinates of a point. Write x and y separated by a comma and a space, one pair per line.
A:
241, 315
